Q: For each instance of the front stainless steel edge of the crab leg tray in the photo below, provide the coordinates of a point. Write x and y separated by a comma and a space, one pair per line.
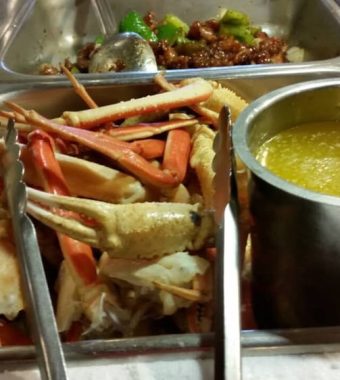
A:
254, 343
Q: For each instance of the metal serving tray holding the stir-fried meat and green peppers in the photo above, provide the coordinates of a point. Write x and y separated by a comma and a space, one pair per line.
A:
34, 32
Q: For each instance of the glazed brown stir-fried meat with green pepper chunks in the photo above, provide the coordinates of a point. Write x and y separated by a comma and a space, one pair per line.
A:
229, 39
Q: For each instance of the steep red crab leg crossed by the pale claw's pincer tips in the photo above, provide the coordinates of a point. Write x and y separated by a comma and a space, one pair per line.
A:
98, 303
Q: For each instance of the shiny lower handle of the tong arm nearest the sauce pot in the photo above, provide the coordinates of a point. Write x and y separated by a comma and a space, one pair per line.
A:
228, 364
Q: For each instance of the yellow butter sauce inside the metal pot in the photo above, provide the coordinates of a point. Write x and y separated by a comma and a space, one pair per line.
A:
307, 155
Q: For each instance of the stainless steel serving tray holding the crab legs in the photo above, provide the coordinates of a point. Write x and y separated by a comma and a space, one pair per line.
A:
53, 98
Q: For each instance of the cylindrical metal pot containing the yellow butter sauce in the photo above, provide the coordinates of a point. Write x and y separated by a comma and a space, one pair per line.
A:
296, 232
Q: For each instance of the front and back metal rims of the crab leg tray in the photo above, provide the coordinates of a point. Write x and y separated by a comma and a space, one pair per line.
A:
254, 342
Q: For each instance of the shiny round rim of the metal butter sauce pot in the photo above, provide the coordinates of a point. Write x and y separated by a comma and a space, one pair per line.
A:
246, 119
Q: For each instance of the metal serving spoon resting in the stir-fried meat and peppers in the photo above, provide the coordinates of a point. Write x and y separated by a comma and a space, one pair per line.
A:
120, 51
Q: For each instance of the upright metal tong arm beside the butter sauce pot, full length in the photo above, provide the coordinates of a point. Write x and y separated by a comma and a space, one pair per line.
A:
227, 273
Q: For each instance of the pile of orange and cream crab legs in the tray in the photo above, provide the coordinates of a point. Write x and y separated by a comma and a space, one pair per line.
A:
145, 243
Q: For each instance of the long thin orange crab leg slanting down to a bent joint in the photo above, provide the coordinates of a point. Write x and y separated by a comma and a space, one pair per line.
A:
117, 150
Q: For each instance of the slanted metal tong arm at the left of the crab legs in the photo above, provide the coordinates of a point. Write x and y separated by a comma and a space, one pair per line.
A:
38, 304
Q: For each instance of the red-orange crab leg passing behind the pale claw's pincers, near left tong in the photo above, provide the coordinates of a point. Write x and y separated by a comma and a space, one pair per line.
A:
96, 301
